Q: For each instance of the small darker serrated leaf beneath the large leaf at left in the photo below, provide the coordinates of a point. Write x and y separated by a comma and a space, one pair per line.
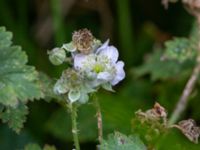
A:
15, 117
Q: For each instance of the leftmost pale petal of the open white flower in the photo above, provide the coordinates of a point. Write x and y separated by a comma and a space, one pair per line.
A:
78, 60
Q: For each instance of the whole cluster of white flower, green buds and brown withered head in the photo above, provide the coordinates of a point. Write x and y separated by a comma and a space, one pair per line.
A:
93, 65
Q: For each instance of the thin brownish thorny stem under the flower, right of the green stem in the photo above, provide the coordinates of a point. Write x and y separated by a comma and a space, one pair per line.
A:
99, 119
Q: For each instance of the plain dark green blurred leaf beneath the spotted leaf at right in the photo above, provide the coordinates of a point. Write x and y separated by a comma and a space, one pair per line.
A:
159, 68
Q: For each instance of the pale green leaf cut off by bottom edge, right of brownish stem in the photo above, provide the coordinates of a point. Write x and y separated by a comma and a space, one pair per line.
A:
118, 141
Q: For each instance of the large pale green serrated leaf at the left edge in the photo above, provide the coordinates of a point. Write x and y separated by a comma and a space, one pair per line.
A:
18, 81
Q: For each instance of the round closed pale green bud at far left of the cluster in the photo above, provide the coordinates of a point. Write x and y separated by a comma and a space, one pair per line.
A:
57, 56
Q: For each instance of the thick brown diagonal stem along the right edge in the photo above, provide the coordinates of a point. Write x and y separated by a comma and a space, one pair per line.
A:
182, 103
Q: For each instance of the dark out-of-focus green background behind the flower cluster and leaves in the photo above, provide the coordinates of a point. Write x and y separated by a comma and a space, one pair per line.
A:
135, 27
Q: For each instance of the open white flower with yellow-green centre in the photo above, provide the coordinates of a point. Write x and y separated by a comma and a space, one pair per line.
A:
102, 66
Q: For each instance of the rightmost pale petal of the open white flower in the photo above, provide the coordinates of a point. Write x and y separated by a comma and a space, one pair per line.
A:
120, 74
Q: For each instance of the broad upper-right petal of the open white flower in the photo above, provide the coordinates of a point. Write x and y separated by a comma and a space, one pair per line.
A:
110, 52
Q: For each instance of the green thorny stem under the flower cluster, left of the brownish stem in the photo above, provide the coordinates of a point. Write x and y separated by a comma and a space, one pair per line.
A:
73, 109
